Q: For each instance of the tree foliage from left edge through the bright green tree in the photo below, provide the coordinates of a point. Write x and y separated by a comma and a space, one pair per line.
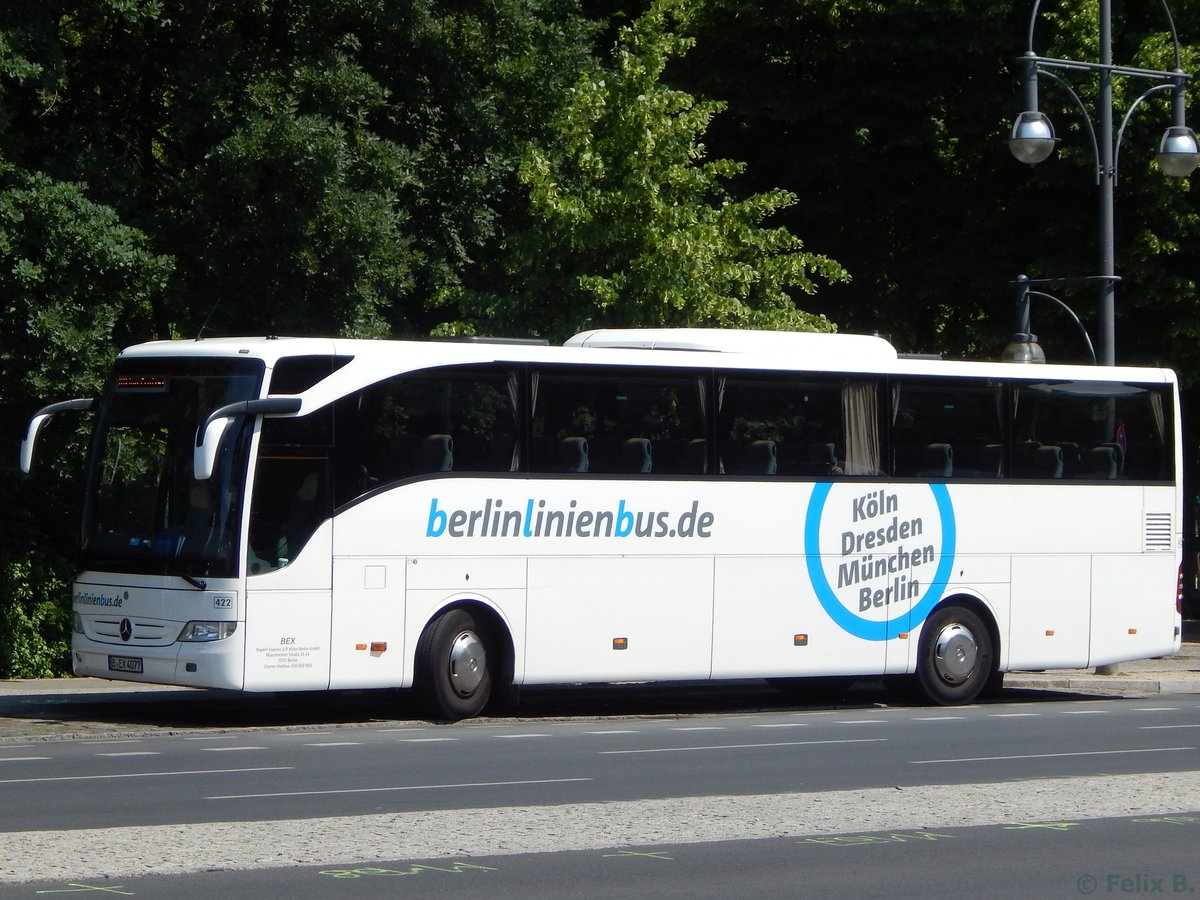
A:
356, 167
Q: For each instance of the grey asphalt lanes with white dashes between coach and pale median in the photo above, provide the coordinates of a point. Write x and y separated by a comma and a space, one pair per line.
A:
302, 772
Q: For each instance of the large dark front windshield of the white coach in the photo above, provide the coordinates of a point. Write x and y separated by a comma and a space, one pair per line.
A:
143, 511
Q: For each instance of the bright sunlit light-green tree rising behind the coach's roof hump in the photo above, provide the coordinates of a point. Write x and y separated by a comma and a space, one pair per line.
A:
631, 224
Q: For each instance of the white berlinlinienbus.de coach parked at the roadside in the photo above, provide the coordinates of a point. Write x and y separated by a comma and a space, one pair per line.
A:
295, 514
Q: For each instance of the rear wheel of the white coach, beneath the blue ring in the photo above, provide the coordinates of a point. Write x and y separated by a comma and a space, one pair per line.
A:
956, 659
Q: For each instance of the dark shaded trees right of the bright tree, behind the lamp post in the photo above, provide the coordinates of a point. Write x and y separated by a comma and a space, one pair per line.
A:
890, 121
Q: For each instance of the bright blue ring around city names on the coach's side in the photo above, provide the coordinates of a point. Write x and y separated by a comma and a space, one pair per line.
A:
850, 622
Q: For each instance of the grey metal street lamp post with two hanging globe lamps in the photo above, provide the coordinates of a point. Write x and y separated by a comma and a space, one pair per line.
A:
1033, 140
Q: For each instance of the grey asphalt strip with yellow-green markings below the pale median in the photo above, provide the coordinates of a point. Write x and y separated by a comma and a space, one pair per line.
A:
1131, 856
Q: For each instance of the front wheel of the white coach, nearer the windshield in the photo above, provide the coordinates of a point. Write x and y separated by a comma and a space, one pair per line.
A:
454, 670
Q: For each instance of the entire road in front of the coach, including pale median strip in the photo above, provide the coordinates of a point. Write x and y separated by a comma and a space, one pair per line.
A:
733, 797
